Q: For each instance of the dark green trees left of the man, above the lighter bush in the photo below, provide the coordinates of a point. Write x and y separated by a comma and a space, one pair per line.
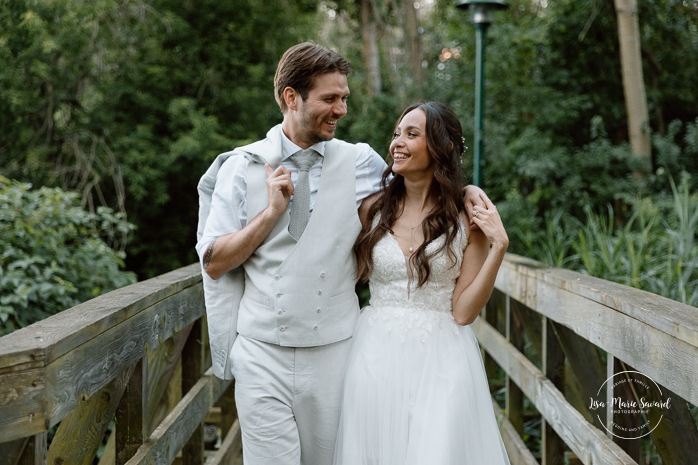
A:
128, 102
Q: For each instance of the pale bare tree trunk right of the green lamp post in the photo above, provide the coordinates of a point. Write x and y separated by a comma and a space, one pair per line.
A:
633, 83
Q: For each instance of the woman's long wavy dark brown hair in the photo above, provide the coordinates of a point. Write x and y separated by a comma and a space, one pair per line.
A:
446, 146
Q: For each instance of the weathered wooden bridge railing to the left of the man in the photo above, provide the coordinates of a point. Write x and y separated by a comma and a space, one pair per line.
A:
124, 374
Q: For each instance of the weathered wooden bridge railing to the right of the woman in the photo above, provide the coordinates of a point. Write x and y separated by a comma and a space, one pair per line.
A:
581, 355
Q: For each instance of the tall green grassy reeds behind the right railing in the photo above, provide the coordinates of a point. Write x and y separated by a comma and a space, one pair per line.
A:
655, 249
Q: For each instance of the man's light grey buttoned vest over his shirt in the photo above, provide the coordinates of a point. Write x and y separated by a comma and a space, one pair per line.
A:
302, 294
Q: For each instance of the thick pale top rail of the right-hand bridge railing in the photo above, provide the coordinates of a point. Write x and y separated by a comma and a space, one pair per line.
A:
574, 303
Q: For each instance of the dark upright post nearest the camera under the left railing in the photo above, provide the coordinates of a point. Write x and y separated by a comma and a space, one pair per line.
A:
130, 430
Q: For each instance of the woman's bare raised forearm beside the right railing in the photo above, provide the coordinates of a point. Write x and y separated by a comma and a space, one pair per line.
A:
468, 302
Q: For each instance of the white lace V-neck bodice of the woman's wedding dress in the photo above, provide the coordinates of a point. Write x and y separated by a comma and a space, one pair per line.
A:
397, 300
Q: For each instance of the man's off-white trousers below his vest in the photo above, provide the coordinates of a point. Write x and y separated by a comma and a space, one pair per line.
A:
288, 401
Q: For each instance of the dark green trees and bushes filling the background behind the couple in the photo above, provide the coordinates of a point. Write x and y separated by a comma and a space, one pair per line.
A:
126, 103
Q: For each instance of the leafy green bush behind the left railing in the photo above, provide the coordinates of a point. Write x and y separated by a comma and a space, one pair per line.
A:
55, 254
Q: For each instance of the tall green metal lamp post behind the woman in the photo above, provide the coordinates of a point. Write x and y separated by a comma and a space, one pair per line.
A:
481, 11
